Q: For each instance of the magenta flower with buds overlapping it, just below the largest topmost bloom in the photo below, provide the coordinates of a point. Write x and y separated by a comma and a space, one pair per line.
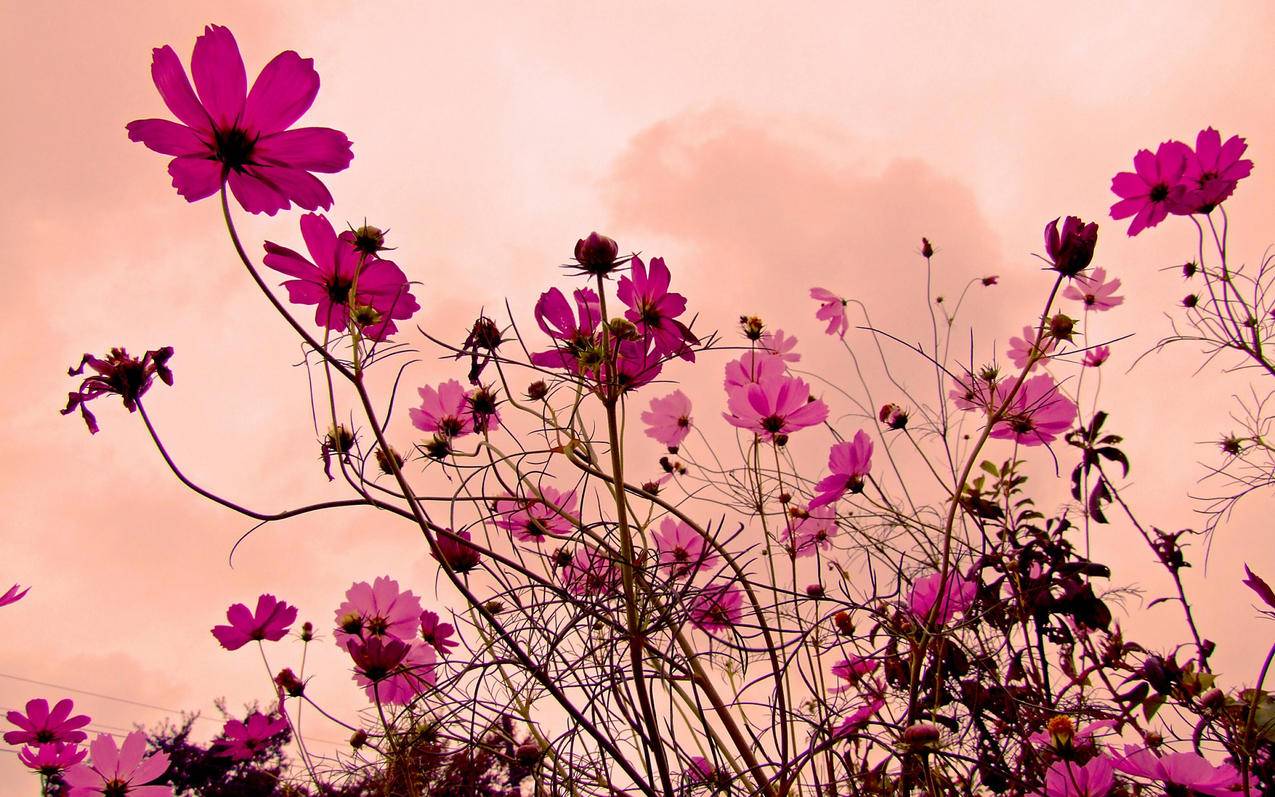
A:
344, 284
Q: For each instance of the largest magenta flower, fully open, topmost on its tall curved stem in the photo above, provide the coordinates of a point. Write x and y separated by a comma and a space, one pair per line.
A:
233, 136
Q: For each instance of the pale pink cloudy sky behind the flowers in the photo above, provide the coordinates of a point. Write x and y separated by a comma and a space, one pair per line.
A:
761, 149
